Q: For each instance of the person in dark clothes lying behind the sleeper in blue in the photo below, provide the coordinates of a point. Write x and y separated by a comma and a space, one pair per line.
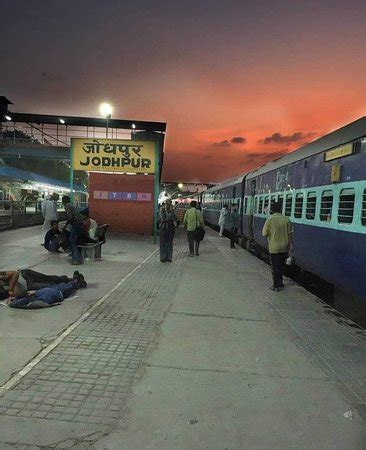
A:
29, 280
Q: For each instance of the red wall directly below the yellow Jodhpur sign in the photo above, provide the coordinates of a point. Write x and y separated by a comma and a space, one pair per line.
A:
127, 216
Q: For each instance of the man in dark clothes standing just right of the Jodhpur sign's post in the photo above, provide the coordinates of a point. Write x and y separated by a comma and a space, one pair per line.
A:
167, 224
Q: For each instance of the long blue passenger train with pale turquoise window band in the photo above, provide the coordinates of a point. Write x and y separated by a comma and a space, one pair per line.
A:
322, 189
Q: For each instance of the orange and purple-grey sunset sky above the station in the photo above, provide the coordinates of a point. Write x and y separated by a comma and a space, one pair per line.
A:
238, 82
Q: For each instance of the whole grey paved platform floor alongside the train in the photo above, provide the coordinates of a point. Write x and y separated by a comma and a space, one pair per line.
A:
196, 354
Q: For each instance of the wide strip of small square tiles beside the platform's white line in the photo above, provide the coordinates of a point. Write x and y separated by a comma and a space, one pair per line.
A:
87, 376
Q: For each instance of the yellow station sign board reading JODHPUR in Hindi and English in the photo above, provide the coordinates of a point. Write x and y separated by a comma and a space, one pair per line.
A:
113, 155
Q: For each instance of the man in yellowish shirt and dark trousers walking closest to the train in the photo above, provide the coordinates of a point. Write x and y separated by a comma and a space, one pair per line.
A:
278, 230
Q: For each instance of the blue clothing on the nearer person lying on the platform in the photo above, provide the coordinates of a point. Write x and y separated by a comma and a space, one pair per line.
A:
49, 295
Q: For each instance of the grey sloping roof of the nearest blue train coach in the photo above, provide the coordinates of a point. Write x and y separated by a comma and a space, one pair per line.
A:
348, 133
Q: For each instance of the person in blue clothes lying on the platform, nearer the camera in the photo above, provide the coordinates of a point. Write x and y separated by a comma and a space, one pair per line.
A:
45, 297
